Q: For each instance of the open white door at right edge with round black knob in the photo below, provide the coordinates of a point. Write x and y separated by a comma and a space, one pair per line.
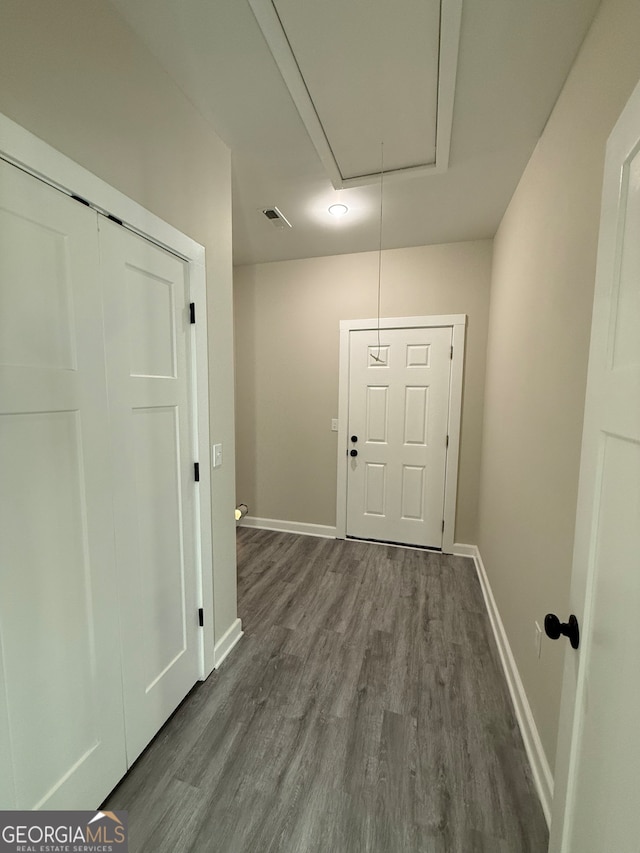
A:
598, 769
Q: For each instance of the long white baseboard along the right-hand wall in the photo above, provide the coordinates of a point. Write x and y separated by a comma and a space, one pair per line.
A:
542, 775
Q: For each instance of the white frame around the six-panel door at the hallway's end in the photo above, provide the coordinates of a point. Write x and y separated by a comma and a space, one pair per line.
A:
458, 324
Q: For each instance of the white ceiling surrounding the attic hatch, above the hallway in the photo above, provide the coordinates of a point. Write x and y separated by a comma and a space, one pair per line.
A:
370, 72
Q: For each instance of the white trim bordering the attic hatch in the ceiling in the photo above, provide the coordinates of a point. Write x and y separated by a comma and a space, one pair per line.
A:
273, 31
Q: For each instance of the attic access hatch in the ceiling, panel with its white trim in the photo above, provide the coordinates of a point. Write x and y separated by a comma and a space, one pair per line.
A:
362, 72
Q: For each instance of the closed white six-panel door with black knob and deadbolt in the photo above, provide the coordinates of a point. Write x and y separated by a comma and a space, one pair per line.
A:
397, 434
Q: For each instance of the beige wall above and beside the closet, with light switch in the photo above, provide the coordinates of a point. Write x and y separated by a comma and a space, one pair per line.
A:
72, 73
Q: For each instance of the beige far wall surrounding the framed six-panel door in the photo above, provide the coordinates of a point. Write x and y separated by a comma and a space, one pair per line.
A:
287, 318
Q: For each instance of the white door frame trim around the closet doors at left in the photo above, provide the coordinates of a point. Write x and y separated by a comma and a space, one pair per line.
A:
23, 149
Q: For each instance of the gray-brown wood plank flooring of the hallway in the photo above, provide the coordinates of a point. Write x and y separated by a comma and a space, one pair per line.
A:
364, 711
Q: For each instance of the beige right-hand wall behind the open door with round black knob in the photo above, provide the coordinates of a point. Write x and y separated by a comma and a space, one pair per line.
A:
539, 328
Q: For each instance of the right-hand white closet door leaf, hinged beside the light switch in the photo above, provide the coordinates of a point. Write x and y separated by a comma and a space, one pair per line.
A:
145, 294
